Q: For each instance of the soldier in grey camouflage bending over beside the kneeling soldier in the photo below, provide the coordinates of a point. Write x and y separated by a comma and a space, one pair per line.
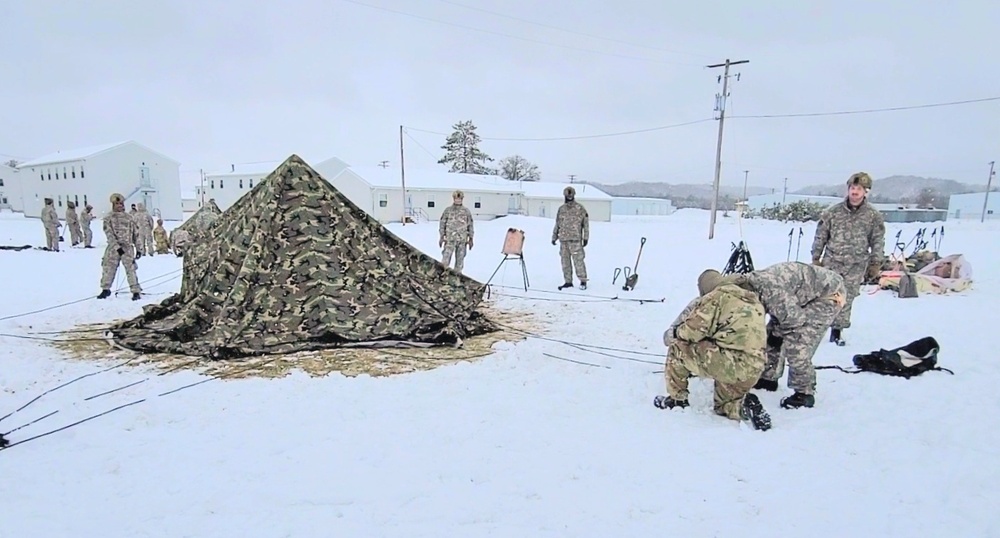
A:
801, 300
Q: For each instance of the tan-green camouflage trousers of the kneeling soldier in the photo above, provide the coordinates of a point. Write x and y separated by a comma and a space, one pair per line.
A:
734, 373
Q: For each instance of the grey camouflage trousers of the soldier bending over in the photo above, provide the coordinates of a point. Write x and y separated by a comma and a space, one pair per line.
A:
799, 347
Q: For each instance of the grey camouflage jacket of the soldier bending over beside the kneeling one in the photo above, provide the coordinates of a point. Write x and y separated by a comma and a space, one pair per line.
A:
786, 288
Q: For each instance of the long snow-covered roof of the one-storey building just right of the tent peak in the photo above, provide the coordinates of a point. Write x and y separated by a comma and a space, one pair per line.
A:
433, 179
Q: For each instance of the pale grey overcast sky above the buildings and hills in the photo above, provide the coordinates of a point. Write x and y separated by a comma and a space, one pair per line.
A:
215, 82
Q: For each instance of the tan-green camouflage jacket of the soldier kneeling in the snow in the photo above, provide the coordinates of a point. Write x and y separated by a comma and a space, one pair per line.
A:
729, 317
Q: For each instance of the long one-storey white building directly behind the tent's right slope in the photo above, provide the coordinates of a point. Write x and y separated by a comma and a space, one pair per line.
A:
379, 191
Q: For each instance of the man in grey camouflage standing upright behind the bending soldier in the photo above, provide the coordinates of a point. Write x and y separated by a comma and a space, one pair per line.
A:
850, 241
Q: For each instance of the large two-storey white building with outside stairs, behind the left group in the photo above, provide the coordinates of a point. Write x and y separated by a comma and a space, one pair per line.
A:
90, 175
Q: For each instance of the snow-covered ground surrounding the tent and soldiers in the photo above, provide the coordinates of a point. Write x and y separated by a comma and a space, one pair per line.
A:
518, 443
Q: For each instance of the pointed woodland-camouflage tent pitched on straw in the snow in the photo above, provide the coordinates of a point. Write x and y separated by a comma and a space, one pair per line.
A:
293, 266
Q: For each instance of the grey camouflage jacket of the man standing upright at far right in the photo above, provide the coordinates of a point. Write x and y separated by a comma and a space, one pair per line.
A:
848, 236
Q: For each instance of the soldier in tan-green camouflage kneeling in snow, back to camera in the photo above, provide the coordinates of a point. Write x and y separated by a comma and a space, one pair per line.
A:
719, 336
